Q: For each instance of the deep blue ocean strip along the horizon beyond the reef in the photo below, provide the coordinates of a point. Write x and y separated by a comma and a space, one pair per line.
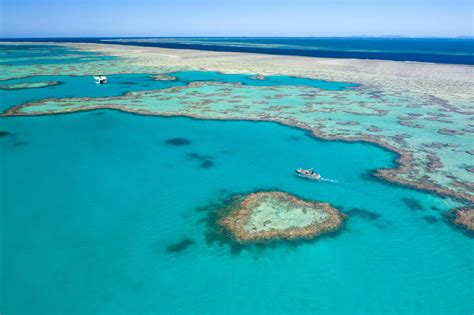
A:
436, 50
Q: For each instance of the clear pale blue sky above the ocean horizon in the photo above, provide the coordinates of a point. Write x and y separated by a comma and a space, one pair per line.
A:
43, 18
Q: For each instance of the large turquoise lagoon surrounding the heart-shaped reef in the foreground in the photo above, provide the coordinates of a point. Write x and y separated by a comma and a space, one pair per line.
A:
91, 201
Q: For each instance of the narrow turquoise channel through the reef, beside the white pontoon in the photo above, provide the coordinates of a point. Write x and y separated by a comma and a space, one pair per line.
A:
119, 84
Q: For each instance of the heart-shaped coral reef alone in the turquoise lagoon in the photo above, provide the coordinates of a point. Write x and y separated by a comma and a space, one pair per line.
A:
266, 216
